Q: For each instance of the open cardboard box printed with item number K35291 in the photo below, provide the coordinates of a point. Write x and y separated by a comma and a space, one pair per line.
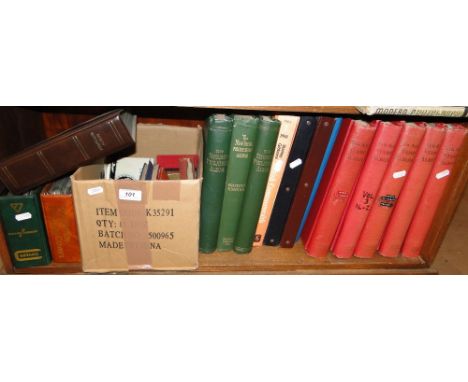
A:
141, 225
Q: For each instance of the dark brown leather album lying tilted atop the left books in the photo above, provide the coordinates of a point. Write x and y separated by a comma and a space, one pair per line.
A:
65, 152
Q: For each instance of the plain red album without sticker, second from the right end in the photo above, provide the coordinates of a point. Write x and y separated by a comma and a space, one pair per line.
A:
412, 189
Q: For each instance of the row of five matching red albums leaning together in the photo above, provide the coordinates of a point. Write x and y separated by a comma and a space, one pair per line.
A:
382, 188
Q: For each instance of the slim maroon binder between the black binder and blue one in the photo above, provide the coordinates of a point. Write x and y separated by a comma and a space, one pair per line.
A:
309, 174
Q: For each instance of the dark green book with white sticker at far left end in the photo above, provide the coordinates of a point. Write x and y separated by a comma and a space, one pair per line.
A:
24, 229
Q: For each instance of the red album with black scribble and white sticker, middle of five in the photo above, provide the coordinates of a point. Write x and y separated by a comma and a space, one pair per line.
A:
390, 188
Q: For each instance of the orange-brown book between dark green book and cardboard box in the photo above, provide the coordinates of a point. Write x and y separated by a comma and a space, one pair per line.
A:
60, 222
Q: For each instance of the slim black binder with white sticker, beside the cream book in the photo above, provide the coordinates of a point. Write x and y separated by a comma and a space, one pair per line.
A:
292, 173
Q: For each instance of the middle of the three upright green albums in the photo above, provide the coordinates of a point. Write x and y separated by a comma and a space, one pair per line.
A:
244, 134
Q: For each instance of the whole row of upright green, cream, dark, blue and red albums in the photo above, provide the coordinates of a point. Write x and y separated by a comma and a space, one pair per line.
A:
349, 187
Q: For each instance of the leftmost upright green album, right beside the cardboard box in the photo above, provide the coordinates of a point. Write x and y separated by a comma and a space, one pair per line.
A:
218, 141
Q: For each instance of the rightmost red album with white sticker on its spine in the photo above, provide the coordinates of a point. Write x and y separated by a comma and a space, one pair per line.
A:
434, 190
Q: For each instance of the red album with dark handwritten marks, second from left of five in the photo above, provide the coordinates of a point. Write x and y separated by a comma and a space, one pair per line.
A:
366, 188
